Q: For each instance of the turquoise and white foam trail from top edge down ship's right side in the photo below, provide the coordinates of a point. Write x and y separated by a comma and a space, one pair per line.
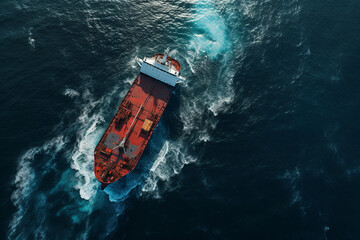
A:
210, 39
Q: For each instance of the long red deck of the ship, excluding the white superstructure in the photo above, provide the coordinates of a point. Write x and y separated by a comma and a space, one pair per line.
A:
146, 99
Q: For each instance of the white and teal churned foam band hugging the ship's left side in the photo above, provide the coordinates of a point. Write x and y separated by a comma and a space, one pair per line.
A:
79, 181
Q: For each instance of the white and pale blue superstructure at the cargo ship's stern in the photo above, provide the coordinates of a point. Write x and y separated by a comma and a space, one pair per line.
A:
160, 69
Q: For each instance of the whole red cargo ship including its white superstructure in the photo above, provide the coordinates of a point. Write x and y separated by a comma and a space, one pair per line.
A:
125, 139
